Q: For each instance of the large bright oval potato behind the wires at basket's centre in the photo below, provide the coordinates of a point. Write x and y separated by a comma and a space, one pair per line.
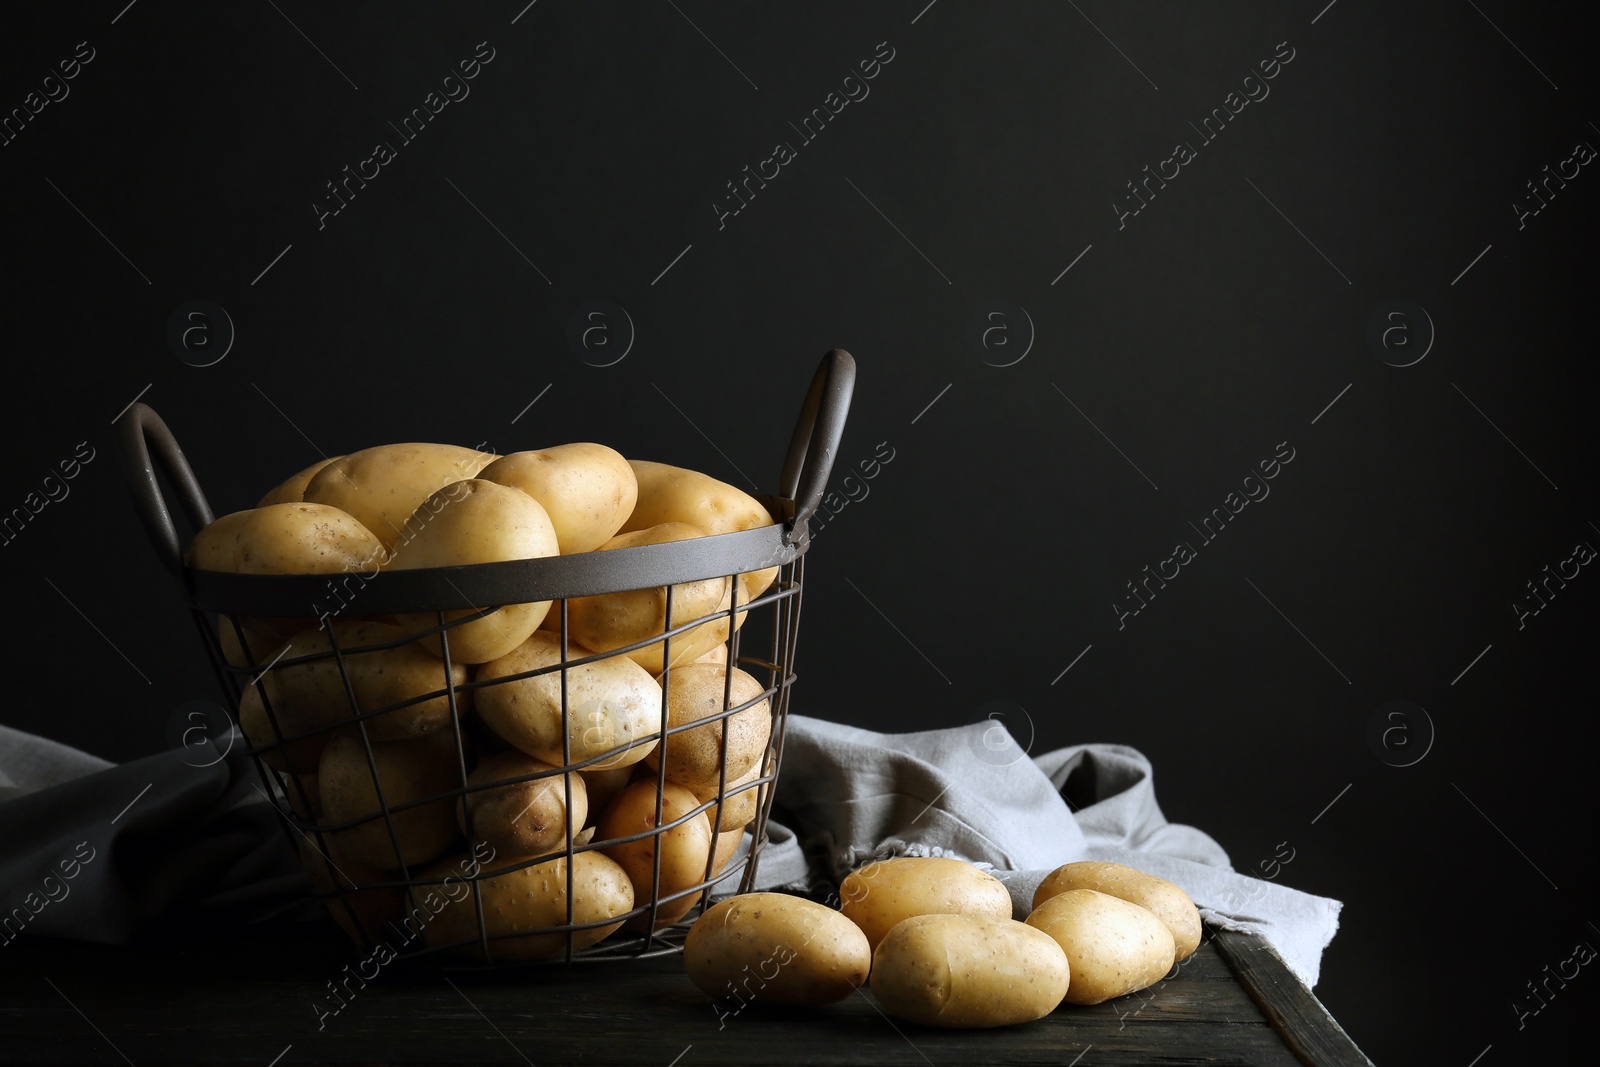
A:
610, 703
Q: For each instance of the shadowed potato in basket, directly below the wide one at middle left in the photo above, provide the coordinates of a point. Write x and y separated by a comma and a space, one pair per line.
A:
410, 772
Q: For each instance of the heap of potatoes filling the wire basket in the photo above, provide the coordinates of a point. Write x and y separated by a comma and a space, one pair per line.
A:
428, 506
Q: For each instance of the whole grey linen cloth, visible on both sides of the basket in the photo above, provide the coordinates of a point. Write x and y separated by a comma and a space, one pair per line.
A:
100, 852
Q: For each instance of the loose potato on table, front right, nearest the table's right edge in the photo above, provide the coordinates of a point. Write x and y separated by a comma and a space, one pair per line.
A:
1114, 946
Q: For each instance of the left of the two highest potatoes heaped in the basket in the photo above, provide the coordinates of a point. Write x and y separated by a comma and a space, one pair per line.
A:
385, 486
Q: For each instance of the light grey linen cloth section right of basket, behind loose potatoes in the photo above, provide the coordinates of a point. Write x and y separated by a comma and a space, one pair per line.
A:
850, 796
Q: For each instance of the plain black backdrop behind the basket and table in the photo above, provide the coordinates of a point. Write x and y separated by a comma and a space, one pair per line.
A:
985, 559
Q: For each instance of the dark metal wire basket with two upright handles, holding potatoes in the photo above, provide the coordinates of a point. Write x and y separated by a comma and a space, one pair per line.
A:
410, 898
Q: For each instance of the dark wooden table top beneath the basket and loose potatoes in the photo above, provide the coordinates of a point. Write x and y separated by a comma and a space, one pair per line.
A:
254, 996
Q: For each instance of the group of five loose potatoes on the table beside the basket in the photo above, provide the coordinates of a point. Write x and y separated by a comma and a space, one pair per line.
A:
940, 945
